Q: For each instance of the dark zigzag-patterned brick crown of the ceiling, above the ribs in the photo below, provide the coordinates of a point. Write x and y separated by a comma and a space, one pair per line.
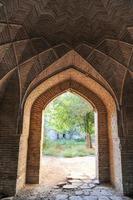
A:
71, 21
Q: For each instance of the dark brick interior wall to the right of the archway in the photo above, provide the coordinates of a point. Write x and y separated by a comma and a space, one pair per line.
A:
127, 141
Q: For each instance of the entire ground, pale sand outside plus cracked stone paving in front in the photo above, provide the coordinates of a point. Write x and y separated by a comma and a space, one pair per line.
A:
55, 170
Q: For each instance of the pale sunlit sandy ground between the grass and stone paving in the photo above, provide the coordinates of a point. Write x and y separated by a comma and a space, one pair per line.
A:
56, 169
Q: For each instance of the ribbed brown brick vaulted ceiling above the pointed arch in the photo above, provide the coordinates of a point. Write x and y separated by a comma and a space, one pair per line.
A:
36, 33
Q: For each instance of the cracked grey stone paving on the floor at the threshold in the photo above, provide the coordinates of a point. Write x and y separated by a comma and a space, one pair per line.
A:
76, 189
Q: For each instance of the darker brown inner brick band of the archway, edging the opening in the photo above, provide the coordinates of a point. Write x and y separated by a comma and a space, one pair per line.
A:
34, 148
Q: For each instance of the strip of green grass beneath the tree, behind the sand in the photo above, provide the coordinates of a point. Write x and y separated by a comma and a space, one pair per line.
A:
66, 148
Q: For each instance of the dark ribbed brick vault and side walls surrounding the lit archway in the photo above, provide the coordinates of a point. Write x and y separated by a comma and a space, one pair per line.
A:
35, 35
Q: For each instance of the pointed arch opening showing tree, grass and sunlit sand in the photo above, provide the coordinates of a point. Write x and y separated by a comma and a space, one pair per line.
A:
69, 140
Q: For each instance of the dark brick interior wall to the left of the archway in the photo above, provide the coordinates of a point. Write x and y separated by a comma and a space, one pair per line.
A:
9, 139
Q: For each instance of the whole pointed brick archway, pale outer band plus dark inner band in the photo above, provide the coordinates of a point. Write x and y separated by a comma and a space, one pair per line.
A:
108, 140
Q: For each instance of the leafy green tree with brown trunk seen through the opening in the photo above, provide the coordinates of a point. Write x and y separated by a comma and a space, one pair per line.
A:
70, 112
